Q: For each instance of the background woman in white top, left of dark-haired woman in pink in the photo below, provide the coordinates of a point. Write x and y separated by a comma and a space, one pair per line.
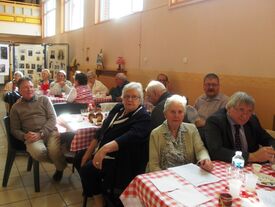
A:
61, 85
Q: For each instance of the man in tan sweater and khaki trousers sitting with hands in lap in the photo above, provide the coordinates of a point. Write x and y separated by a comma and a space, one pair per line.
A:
33, 121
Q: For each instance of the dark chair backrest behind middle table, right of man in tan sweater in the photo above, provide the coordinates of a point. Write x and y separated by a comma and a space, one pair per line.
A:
69, 108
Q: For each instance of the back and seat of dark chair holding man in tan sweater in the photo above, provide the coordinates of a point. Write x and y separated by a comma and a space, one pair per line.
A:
13, 143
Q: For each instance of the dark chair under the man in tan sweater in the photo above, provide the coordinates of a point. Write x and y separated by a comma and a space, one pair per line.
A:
15, 147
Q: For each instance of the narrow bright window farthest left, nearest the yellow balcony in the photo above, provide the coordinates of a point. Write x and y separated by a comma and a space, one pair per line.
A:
49, 11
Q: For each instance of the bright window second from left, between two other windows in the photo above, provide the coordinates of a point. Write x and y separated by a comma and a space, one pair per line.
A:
74, 12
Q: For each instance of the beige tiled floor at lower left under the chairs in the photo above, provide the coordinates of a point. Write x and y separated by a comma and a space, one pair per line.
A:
20, 189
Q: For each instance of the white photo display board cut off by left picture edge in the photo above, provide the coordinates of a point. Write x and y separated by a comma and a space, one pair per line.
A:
4, 59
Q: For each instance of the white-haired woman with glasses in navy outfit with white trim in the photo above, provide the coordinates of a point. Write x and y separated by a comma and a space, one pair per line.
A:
119, 152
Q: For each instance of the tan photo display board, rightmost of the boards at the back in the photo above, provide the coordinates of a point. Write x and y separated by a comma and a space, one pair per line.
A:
57, 57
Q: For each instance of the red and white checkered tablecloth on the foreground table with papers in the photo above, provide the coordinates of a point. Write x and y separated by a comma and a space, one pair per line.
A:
142, 192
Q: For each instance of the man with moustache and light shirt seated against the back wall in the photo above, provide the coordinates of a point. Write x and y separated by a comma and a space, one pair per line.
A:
212, 100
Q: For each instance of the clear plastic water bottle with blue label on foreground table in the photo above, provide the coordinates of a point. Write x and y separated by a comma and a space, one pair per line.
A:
237, 166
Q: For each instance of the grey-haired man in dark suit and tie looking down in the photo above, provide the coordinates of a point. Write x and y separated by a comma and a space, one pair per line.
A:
236, 128
